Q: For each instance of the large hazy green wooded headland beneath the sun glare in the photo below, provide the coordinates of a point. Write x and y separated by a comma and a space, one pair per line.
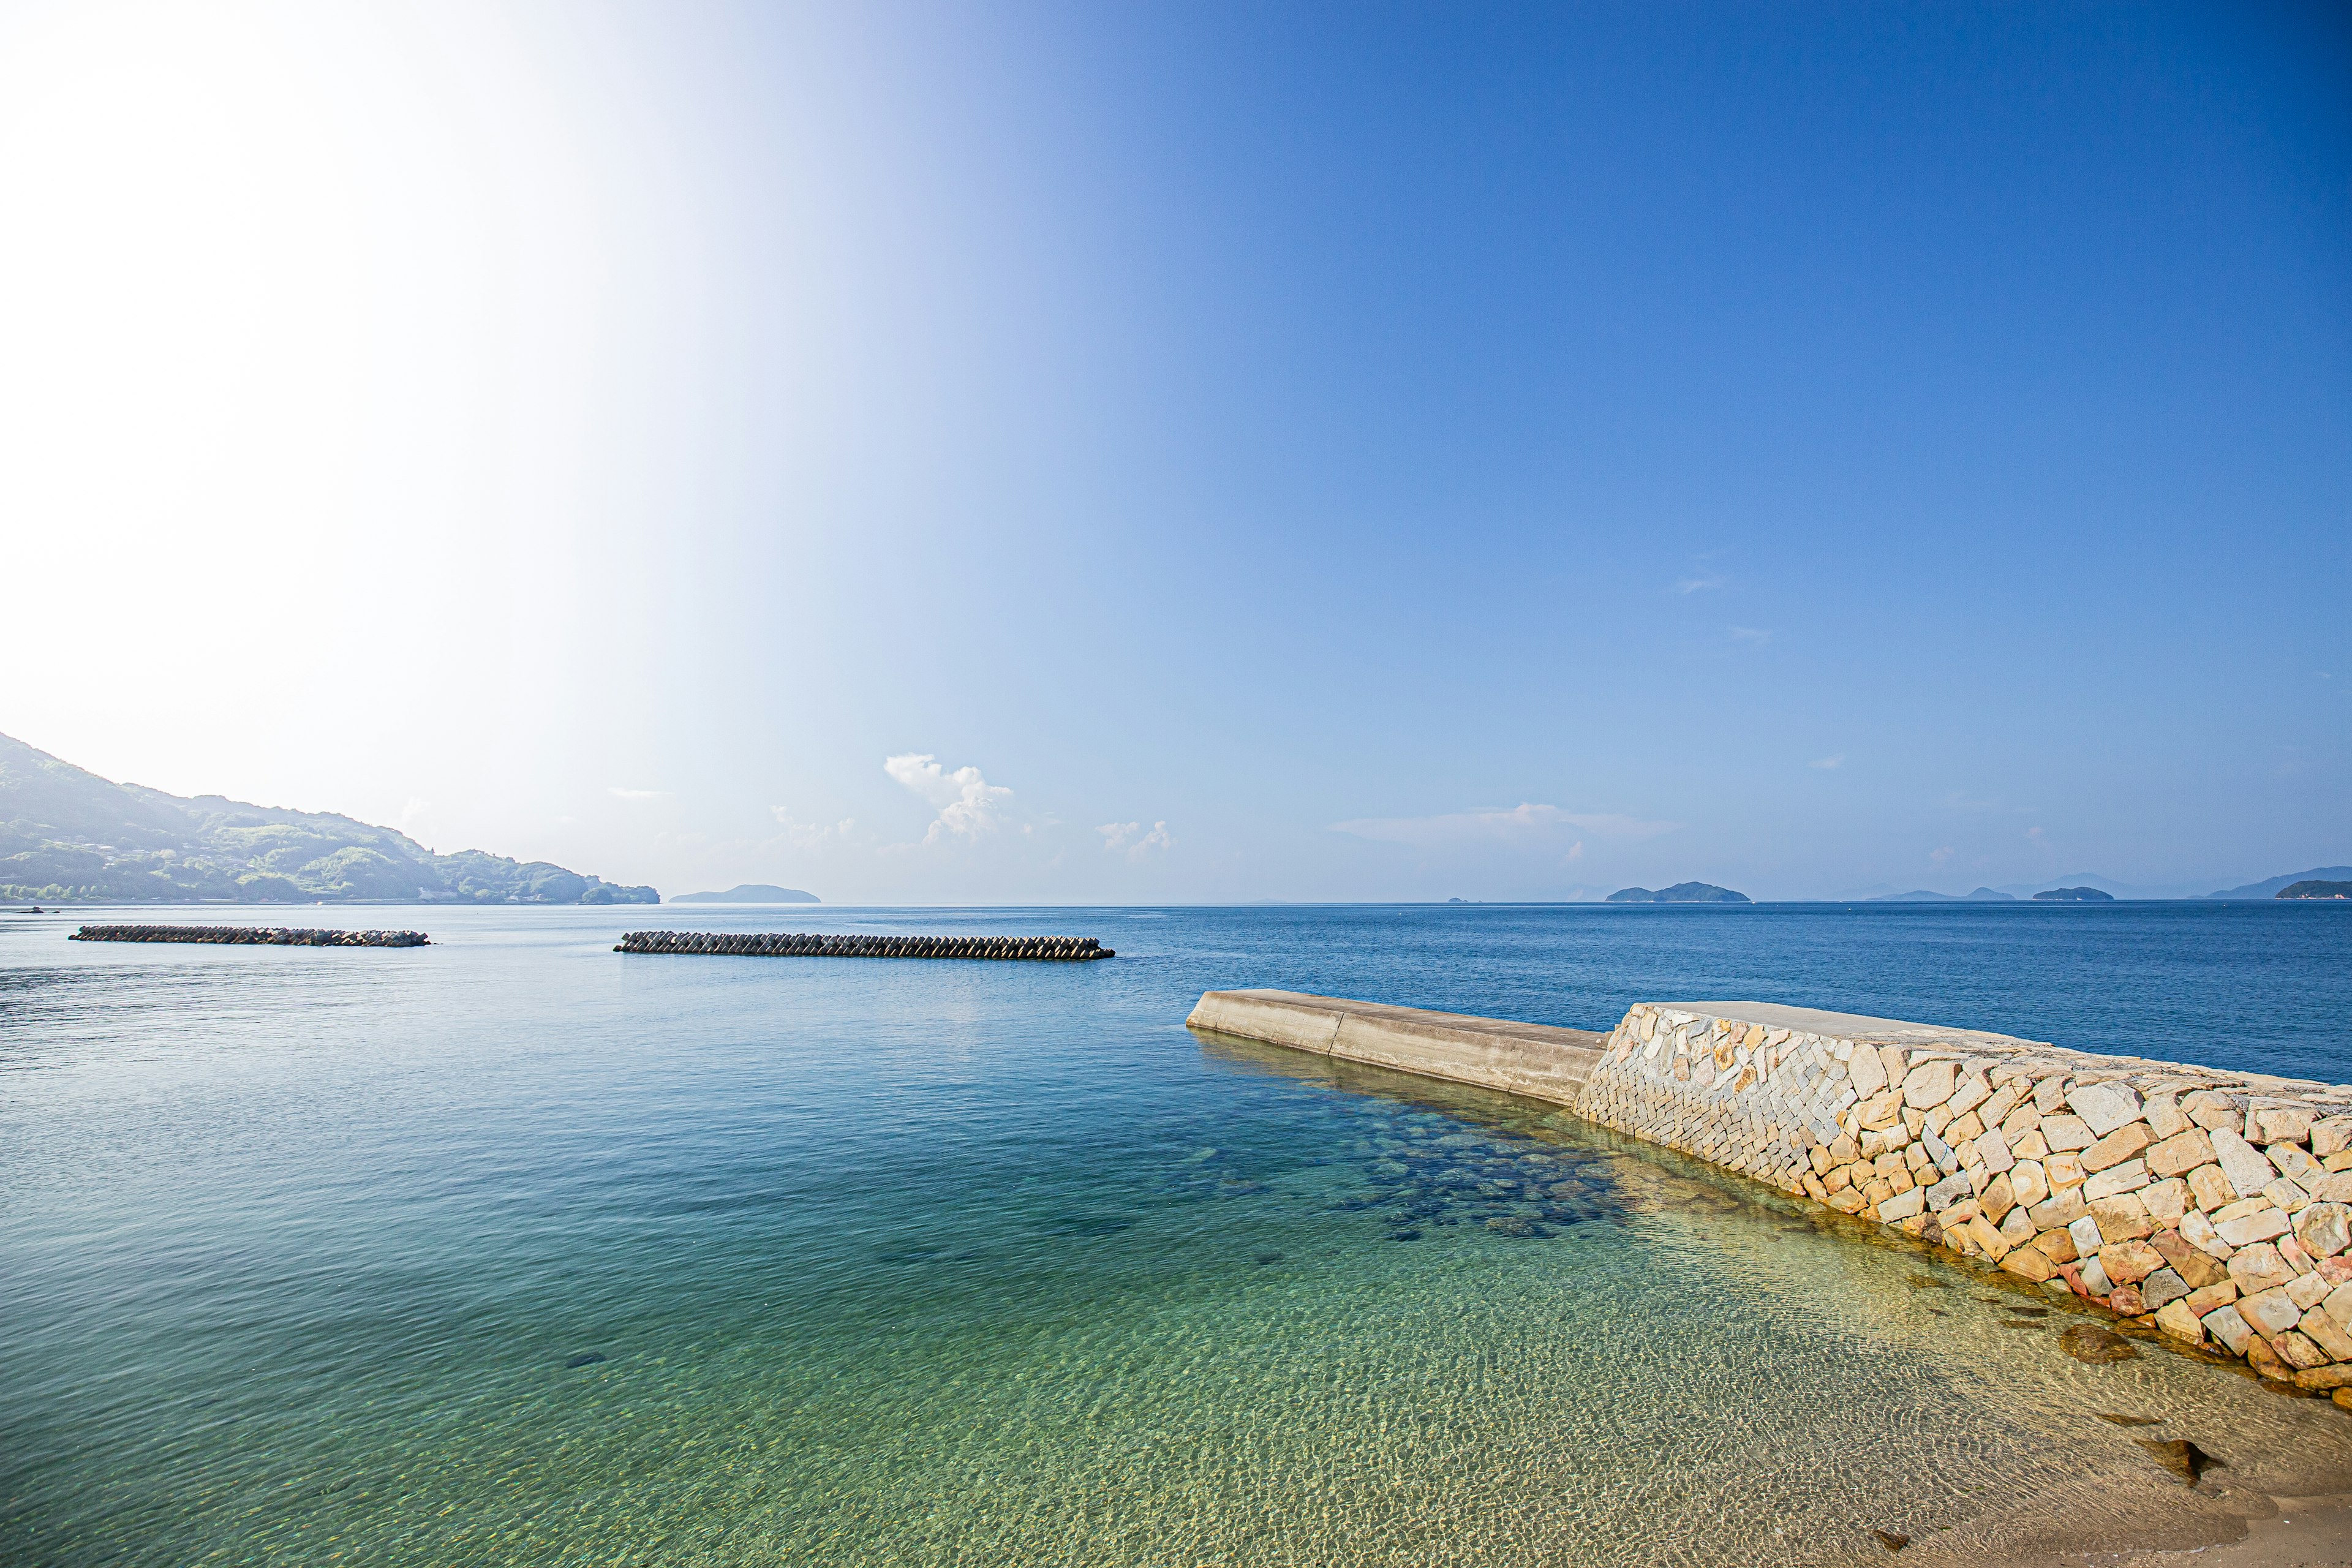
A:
69, 836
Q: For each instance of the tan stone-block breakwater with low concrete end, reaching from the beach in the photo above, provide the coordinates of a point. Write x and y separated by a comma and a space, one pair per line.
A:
2214, 1207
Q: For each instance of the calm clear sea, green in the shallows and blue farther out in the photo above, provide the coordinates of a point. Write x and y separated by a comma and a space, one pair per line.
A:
307, 1252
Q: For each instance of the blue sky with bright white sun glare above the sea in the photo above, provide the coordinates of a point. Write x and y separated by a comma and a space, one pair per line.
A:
1201, 453
